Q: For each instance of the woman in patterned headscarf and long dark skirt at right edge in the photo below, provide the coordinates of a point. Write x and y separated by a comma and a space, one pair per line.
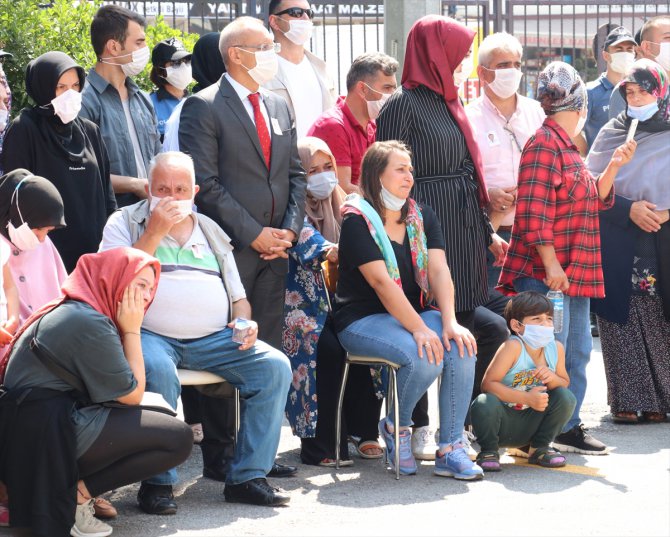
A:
634, 316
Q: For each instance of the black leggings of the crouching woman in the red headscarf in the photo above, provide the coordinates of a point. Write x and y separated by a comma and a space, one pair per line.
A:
135, 444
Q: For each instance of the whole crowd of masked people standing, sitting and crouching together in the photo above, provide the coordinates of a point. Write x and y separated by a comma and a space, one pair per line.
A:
260, 228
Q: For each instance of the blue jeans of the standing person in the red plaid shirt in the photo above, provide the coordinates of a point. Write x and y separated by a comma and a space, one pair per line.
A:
576, 338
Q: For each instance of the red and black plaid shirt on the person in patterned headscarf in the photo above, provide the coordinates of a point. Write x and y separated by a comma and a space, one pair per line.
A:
557, 204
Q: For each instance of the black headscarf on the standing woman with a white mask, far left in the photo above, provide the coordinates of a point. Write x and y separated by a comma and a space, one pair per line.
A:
42, 75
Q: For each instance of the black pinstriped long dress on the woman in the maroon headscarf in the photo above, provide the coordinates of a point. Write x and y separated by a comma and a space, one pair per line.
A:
444, 180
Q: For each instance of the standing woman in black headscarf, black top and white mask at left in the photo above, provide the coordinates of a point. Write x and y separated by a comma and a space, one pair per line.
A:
50, 140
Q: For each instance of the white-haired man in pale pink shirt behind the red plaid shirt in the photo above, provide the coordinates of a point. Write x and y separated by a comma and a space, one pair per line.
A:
502, 121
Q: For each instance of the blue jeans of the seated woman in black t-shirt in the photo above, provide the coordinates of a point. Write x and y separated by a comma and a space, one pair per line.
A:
382, 335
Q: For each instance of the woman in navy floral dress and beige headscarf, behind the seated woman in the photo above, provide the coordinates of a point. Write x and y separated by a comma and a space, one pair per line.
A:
308, 338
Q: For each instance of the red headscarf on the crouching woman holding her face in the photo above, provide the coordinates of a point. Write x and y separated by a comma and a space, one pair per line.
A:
99, 280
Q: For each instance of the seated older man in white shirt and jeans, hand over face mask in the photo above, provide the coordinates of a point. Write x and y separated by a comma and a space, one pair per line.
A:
189, 325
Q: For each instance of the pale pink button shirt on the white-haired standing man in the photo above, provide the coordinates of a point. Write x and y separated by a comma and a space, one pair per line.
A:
500, 152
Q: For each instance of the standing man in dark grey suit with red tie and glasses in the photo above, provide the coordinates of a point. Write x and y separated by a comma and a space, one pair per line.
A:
251, 182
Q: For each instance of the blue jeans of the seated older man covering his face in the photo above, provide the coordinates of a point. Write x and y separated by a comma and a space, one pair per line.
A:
262, 374
